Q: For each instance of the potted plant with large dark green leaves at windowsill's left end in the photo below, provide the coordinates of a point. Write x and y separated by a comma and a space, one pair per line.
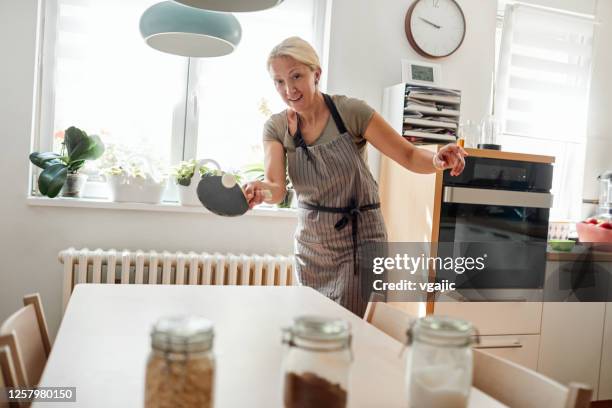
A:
61, 171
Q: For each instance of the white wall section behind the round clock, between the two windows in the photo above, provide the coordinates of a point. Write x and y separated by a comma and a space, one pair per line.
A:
368, 42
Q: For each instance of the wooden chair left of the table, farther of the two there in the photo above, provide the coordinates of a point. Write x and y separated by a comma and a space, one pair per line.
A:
26, 335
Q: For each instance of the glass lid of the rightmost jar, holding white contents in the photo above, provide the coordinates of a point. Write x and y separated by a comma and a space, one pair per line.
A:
443, 331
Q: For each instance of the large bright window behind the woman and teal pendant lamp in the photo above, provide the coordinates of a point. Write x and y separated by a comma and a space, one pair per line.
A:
99, 75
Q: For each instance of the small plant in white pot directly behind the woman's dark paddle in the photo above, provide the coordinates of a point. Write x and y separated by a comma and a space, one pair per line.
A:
187, 178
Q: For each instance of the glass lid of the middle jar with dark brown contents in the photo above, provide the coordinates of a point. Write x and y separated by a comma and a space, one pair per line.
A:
320, 329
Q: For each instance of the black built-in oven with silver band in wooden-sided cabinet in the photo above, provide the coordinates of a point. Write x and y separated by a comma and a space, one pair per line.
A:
497, 209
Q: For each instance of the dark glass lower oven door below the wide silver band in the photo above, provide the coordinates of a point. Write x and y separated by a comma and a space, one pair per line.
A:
513, 238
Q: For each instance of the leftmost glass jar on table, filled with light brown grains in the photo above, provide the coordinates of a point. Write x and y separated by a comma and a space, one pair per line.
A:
181, 366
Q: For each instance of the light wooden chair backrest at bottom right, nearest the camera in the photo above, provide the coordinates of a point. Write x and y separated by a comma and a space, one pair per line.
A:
518, 386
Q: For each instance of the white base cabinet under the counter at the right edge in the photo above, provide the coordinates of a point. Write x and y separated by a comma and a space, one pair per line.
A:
576, 336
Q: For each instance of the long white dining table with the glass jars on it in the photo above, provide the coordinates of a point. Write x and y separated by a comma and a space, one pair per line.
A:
103, 344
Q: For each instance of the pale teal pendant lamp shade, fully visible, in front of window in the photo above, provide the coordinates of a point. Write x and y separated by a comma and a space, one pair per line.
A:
181, 30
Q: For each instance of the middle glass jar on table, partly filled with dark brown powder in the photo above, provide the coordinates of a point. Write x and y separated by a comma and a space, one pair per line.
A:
317, 363
